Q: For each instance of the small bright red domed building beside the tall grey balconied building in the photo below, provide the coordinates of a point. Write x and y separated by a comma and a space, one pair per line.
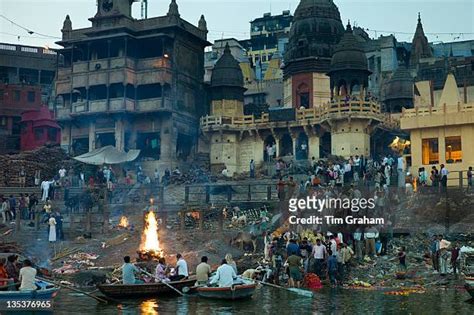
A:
38, 128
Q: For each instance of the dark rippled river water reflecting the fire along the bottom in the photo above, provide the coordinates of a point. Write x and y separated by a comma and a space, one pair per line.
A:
274, 301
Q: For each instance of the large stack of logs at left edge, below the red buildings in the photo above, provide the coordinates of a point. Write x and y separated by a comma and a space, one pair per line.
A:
48, 160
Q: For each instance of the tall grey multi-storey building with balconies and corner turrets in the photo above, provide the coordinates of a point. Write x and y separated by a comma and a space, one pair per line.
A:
134, 84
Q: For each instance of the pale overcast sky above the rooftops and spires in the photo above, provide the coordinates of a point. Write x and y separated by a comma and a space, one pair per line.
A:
230, 18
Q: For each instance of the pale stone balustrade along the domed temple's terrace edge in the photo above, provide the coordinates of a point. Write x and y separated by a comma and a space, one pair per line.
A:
335, 110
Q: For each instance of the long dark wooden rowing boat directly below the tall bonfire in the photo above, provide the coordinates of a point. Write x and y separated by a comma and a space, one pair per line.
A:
144, 289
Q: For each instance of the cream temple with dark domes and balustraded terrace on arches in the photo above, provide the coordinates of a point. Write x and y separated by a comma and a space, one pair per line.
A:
332, 114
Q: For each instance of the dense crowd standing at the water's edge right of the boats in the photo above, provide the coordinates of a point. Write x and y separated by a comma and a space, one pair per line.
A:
326, 256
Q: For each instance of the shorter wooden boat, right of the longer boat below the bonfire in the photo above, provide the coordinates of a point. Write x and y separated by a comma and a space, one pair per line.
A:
235, 292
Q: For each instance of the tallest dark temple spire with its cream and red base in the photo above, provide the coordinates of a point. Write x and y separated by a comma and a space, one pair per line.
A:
315, 32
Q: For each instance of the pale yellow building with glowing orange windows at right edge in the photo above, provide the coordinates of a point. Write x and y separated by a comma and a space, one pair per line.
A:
442, 134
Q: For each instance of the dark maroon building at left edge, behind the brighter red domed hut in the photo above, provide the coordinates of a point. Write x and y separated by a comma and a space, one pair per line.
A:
14, 100
